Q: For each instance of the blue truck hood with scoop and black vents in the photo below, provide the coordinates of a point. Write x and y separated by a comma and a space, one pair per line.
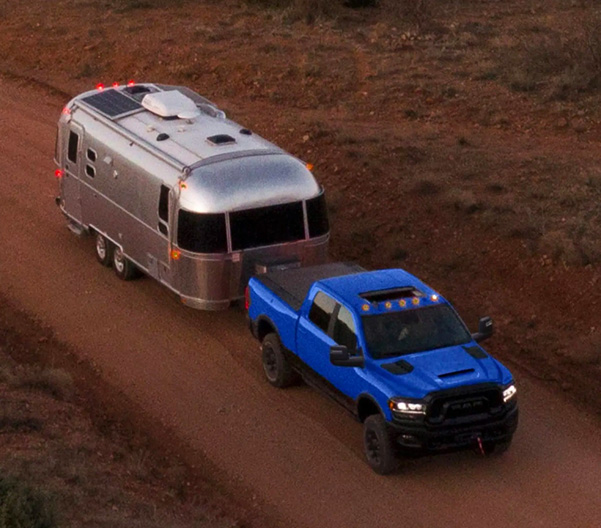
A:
415, 375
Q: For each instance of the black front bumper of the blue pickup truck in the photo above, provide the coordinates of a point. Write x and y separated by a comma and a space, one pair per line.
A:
421, 436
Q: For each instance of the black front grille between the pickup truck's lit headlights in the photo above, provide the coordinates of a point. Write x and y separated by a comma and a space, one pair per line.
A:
454, 405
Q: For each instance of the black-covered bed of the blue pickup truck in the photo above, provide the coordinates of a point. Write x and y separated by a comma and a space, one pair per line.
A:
292, 285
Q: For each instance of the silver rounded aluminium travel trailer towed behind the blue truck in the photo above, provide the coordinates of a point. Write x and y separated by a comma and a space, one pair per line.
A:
170, 187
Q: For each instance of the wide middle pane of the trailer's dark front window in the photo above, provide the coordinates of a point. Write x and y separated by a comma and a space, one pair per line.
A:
265, 226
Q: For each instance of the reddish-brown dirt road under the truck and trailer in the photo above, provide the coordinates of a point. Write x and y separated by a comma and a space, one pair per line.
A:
296, 455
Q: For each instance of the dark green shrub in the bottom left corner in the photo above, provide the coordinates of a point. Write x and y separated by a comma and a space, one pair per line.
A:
22, 506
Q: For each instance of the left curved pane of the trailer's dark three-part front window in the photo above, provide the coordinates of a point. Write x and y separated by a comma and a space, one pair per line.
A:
201, 233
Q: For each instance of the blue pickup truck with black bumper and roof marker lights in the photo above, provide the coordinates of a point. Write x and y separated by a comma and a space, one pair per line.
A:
389, 349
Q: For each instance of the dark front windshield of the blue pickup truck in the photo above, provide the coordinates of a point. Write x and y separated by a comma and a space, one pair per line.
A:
399, 333
